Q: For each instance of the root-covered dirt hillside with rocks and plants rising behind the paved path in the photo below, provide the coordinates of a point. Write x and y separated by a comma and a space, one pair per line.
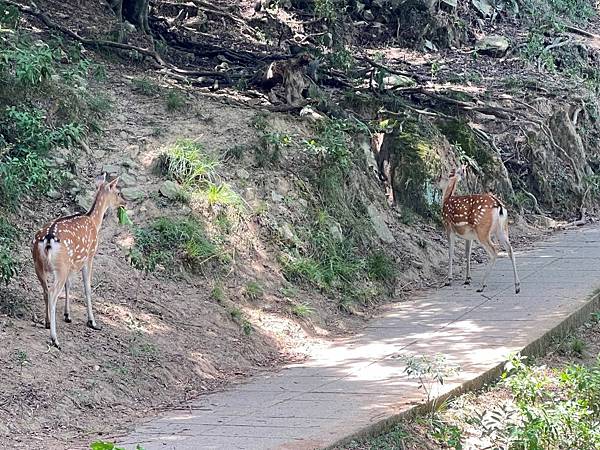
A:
280, 163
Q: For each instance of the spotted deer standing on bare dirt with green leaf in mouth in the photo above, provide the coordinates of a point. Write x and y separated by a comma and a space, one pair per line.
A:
68, 245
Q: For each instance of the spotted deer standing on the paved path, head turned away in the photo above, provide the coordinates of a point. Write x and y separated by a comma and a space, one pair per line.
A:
475, 217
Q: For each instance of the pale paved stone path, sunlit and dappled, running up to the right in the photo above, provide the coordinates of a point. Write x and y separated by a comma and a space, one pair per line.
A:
358, 382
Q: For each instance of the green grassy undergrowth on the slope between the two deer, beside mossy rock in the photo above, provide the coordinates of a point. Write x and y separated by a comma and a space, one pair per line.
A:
336, 255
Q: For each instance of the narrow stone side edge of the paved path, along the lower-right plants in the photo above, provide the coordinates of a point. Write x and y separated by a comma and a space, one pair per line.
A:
536, 348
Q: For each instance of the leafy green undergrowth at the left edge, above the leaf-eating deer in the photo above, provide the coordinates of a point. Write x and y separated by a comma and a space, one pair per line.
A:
46, 107
